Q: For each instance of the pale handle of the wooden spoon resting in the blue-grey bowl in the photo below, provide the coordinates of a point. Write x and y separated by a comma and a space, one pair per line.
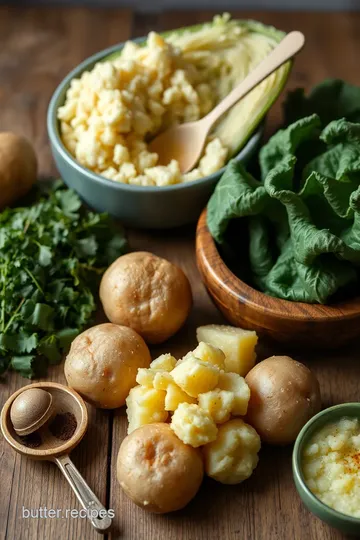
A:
287, 48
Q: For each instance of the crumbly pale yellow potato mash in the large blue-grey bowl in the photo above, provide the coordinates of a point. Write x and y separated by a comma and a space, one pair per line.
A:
110, 111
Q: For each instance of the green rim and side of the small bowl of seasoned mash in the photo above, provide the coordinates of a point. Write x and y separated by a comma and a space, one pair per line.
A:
297, 468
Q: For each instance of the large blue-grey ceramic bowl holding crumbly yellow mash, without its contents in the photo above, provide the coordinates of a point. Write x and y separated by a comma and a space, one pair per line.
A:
136, 206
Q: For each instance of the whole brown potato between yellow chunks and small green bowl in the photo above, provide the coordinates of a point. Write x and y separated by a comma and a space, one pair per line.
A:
284, 395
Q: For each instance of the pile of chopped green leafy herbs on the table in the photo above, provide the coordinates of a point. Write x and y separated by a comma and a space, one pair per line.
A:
52, 255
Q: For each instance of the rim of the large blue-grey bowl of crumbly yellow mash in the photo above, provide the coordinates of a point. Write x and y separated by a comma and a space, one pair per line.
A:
54, 136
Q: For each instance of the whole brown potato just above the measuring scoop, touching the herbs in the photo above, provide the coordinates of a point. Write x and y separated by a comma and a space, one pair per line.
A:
102, 364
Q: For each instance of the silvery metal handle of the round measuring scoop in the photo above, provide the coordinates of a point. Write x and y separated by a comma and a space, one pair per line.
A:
85, 496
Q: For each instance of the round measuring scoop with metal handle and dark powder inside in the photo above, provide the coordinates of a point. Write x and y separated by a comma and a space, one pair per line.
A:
64, 400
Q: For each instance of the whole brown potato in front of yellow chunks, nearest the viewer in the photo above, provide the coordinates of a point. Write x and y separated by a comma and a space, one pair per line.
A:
157, 471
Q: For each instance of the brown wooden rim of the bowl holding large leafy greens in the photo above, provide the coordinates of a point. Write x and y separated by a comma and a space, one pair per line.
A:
207, 250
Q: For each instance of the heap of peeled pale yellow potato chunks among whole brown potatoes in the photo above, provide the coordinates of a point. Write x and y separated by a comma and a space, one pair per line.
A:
201, 396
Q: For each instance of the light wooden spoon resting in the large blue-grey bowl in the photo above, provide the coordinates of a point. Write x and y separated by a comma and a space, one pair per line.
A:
185, 142
